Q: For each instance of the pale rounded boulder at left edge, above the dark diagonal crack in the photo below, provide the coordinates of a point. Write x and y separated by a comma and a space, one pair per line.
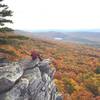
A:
9, 74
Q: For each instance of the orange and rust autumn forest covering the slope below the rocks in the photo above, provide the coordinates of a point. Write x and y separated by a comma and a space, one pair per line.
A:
77, 66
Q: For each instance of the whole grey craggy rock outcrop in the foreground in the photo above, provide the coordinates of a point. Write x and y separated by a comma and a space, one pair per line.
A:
28, 80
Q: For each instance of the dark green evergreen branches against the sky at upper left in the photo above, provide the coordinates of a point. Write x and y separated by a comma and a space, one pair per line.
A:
4, 14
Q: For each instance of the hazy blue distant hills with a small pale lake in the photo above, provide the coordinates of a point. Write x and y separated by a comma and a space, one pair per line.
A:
87, 38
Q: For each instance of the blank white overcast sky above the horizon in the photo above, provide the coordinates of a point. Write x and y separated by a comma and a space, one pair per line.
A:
55, 14
